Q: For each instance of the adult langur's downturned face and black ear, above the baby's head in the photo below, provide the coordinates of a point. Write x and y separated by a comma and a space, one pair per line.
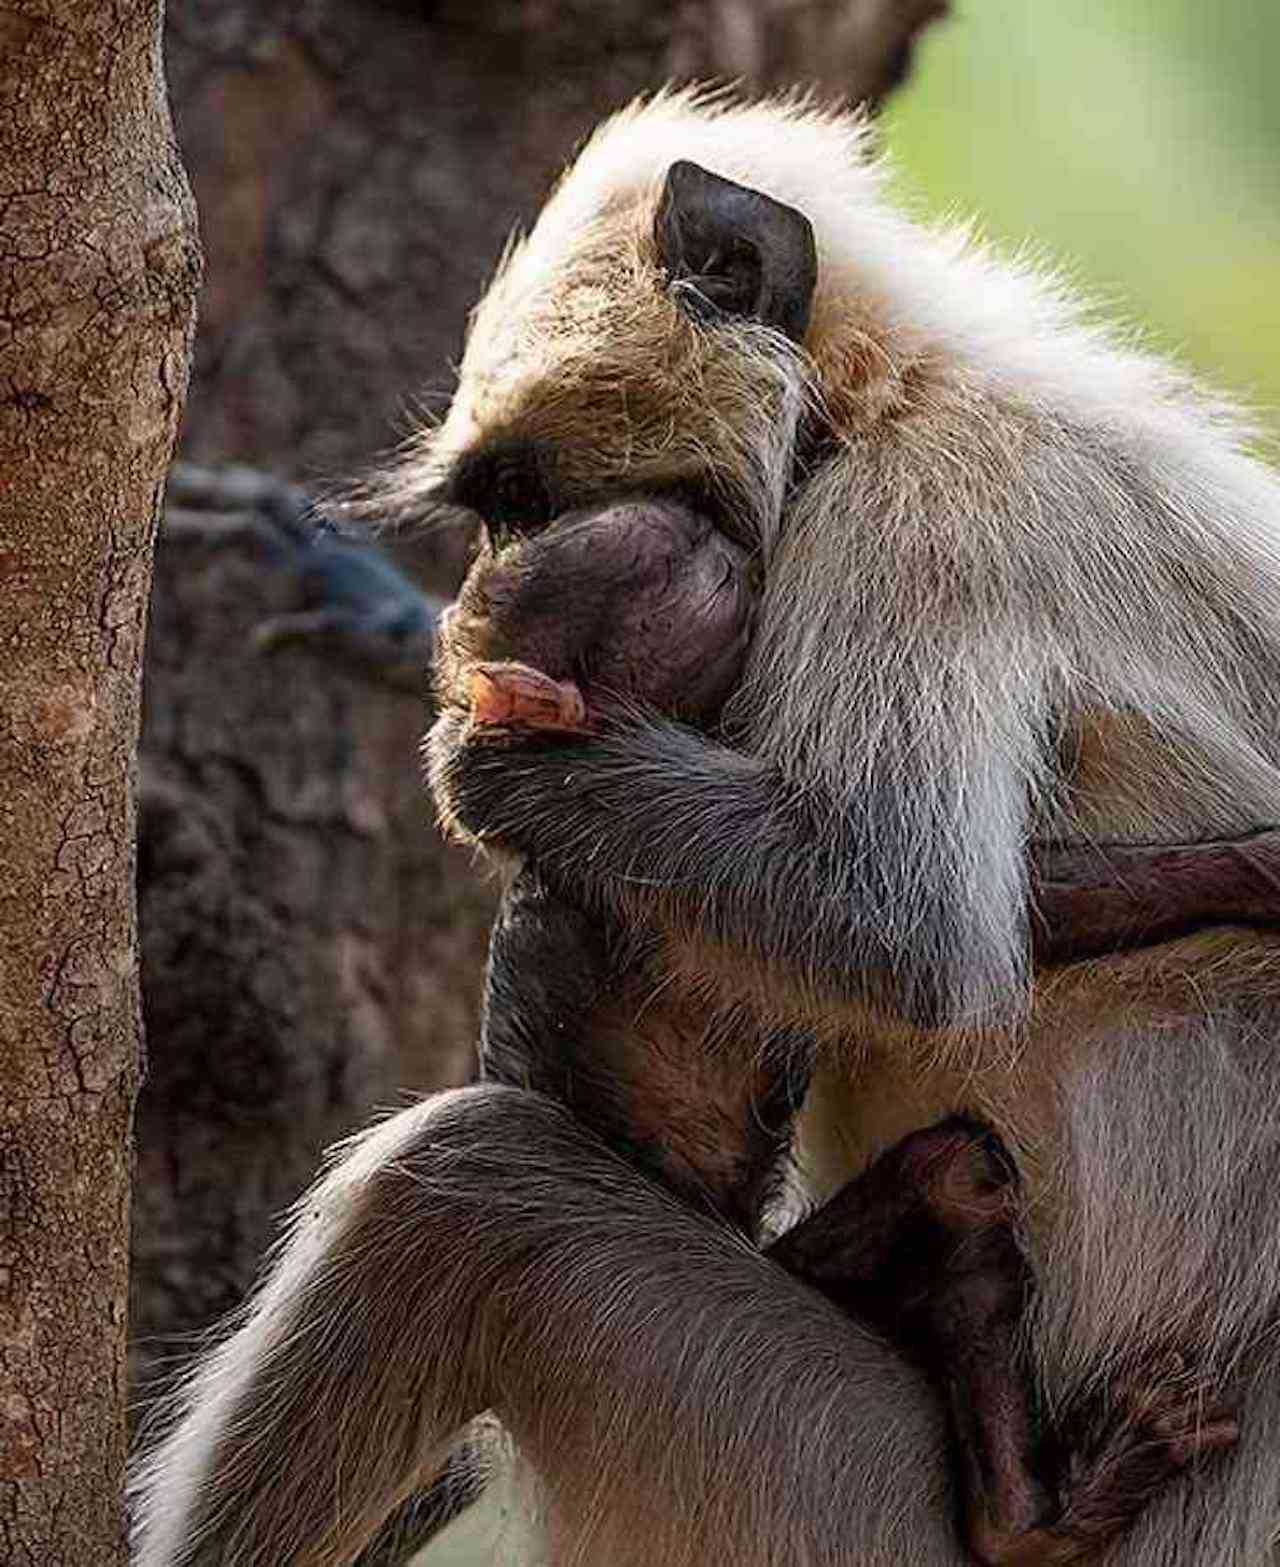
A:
649, 350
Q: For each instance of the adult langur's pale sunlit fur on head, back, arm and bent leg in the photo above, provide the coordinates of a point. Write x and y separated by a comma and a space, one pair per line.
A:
1022, 581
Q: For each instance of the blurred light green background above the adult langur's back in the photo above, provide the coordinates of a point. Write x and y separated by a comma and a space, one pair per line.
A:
1135, 142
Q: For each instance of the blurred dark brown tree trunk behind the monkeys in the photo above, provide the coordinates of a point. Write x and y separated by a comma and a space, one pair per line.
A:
311, 947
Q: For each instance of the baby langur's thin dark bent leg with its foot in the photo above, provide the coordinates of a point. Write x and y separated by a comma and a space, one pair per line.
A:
924, 1247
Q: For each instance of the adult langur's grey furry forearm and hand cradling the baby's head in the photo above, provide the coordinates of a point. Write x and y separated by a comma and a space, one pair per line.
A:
651, 820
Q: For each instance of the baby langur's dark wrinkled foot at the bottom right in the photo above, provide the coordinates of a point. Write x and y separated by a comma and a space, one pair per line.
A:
1163, 1428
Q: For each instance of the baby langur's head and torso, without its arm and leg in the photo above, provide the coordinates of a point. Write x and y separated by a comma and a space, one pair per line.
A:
642, 603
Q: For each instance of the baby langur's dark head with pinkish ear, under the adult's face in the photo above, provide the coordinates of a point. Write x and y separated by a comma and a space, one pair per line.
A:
642, 601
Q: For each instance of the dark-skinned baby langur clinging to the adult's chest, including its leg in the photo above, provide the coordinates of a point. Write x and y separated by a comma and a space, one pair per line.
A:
646, 603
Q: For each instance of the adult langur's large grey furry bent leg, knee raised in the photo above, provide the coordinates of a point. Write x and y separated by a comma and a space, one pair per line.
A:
682, 1400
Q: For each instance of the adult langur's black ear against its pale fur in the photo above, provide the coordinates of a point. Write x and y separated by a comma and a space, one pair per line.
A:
734, 252
